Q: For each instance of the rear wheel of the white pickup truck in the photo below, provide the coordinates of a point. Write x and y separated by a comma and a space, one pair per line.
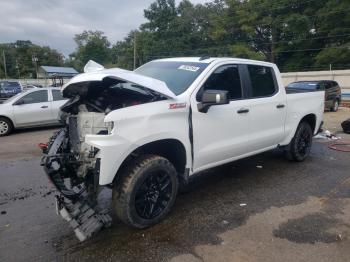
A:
299, 148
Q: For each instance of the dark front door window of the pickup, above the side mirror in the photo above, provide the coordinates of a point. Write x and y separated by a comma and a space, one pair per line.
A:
225, 78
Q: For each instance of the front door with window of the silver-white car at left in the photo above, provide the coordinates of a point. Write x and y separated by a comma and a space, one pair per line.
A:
33, 109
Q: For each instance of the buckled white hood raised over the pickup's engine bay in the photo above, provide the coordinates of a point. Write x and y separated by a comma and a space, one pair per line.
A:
119, 74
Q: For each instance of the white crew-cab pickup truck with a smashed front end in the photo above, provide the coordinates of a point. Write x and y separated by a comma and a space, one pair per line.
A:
144, 133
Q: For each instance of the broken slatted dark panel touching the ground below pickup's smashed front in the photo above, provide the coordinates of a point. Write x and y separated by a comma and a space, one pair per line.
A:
84, 220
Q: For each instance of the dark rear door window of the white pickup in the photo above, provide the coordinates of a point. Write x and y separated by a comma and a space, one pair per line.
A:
262, 80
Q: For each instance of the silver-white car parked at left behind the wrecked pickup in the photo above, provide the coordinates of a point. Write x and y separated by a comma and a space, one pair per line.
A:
32, 108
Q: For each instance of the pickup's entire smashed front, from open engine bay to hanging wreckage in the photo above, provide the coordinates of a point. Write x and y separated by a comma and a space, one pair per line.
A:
74, 166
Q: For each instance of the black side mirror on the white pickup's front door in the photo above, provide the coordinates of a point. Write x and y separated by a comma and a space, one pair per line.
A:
212, 98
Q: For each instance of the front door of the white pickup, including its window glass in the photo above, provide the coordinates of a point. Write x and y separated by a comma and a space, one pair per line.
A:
221, 133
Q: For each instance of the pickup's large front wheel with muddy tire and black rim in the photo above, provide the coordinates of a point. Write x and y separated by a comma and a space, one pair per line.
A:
146, 191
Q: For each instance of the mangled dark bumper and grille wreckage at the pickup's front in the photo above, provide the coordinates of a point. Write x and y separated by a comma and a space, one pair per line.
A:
77, 202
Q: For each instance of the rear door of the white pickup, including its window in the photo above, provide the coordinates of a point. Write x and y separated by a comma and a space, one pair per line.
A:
267, 108
